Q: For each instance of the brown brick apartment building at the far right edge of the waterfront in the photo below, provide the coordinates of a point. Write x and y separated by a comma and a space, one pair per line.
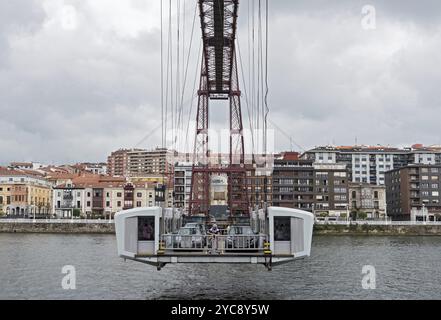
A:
414, 192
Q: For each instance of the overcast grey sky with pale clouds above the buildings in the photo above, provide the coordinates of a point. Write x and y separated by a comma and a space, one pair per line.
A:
79, 79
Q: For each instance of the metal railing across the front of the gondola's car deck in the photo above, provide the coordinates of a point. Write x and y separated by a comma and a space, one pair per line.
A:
214, 244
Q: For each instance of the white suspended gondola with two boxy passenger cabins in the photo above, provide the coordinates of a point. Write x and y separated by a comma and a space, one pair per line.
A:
142, 235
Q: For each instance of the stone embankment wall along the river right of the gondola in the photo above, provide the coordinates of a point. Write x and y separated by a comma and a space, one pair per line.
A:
377, 230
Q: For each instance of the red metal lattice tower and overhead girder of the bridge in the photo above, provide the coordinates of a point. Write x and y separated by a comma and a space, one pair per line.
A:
219, 81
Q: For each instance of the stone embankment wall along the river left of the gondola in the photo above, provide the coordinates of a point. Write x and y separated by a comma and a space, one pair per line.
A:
68, 227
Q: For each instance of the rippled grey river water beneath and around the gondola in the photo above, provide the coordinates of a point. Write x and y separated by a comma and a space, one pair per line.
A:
406, 268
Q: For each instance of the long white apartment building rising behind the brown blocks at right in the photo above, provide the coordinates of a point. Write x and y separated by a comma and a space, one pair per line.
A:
368, 164
